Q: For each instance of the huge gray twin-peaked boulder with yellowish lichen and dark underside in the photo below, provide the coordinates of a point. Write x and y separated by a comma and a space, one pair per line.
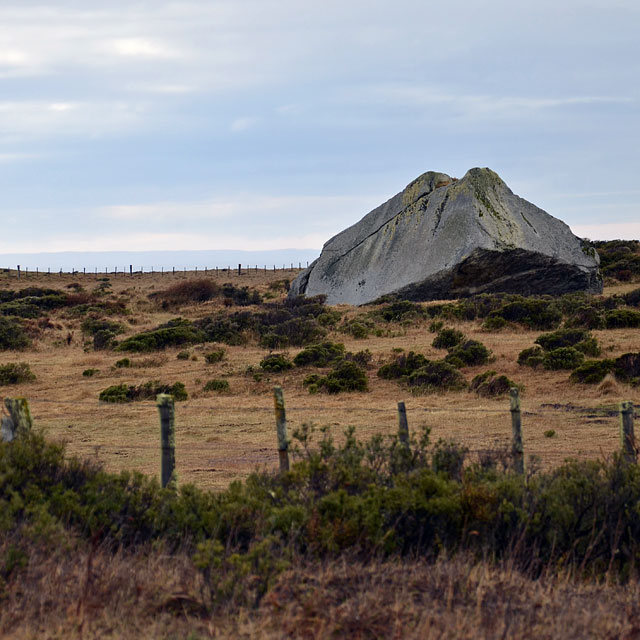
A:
446, 238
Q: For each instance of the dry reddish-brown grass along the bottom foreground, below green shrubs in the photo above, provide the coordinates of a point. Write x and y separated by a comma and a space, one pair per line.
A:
95, 594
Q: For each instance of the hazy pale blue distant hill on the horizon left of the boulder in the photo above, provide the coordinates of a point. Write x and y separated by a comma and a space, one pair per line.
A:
156, 260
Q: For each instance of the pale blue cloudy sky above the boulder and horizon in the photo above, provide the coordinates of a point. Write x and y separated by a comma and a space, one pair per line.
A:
264, 124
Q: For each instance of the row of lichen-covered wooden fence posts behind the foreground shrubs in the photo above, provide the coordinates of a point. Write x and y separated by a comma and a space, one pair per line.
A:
19, 422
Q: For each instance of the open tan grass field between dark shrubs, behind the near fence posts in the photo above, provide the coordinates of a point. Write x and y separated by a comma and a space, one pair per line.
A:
224, 436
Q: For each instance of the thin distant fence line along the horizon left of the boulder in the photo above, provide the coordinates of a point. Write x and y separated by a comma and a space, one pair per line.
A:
24, 272
